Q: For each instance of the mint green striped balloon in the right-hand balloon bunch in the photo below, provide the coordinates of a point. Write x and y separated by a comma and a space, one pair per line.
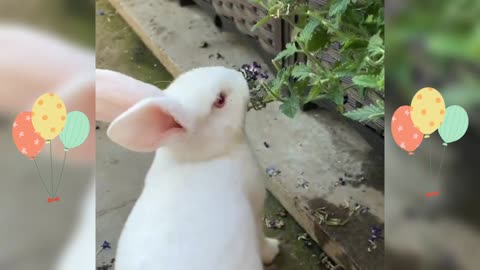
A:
454, 125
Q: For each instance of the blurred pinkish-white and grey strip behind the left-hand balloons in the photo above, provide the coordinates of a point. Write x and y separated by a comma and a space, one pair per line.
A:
46, 45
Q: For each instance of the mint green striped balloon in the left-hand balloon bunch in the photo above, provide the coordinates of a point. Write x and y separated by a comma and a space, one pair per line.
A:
76, 130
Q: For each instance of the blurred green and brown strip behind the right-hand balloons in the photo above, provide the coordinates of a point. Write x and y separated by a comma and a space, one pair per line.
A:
433, 44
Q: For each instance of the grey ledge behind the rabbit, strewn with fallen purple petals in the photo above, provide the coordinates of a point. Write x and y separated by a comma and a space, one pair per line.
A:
319, 147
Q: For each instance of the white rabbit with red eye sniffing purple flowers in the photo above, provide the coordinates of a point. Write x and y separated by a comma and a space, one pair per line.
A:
202, 203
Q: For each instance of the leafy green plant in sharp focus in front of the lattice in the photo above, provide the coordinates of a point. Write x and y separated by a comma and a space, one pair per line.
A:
357, 26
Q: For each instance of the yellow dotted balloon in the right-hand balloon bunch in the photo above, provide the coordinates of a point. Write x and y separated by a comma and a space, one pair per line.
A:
427, 110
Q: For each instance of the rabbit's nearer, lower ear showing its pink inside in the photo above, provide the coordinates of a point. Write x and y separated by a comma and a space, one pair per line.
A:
147, 125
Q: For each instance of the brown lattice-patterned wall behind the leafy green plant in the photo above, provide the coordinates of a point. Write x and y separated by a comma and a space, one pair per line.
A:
271, 38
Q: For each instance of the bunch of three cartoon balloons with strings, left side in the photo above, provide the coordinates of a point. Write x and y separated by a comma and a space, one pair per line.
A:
47, 120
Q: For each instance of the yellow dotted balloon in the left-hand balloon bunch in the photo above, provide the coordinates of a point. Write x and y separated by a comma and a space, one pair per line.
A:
49, 116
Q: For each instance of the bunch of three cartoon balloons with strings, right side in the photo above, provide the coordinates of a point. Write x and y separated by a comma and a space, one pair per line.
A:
427, 114
